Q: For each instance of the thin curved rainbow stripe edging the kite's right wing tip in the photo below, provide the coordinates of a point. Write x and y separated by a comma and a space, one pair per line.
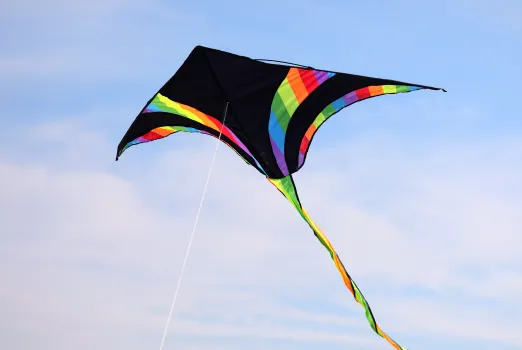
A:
346, 100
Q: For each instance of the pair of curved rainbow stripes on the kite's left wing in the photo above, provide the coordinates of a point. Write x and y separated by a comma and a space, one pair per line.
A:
162, 103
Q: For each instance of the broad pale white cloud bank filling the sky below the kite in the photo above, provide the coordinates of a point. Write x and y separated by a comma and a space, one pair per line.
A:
91, 258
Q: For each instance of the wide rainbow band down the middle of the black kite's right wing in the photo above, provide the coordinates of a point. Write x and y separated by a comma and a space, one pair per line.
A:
295, 88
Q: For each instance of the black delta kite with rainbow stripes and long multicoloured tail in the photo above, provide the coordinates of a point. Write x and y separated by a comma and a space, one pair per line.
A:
267, 111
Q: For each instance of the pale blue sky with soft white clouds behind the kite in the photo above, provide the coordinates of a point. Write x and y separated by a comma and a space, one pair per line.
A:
420, 193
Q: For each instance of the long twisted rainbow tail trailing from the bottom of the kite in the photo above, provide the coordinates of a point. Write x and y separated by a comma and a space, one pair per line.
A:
287, 187
